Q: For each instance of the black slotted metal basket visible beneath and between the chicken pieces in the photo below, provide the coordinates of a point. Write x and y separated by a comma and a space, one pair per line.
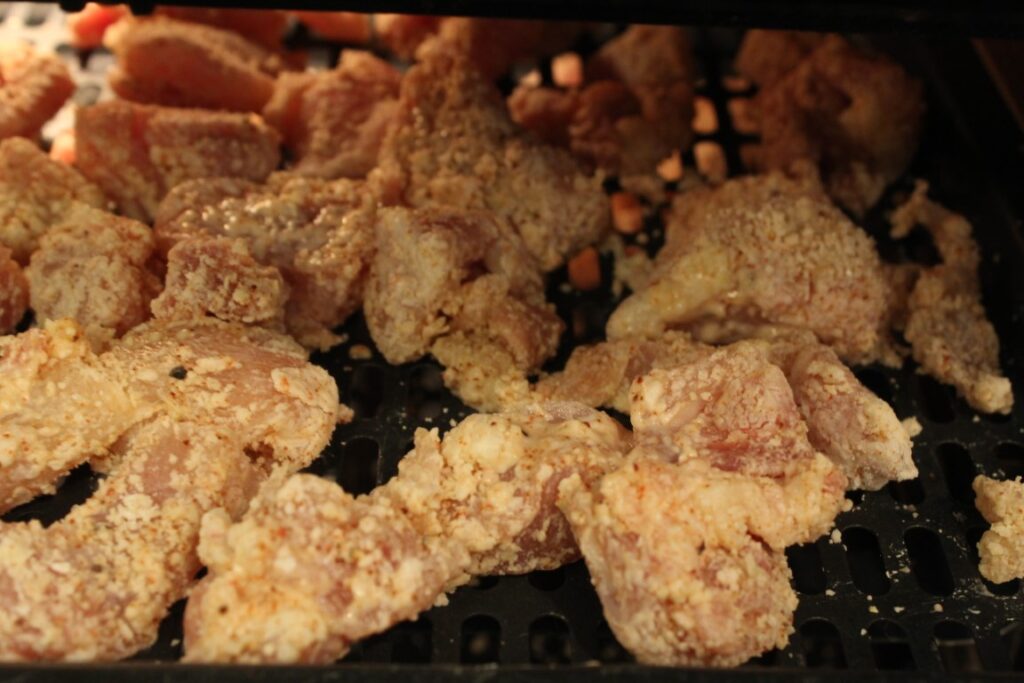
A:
897, 588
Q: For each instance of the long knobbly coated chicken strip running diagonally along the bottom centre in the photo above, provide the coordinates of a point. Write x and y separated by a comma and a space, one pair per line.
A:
311, 570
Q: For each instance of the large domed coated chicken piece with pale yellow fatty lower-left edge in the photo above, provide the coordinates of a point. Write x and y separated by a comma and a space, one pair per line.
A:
764, 251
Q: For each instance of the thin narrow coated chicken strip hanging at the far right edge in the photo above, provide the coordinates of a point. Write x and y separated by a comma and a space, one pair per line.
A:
947, 326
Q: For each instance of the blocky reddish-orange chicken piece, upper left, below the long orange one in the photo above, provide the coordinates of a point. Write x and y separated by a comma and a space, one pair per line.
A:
138, 153
